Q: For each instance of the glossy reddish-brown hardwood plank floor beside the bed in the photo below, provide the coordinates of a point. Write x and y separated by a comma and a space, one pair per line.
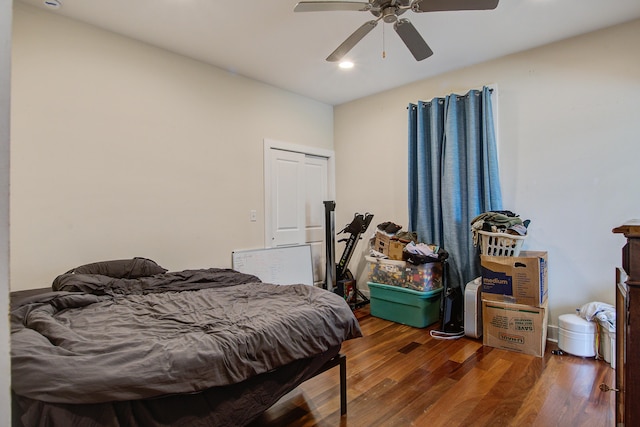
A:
401, 376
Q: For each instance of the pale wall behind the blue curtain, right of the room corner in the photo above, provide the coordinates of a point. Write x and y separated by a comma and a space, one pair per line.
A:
569, 150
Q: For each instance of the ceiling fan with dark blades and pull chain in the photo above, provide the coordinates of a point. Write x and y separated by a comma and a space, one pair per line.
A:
389, 11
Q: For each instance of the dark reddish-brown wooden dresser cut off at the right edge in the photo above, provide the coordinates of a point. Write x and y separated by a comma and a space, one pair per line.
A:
628, 327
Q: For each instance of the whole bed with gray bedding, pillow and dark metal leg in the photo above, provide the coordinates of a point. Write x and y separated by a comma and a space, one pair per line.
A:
128, 343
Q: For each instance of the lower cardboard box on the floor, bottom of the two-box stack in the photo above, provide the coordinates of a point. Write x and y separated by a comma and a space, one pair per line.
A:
515, 327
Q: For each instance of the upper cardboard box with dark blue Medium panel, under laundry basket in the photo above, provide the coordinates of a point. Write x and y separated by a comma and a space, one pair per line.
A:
519, 280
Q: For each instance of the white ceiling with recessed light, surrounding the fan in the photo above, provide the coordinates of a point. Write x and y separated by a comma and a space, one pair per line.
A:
266, 41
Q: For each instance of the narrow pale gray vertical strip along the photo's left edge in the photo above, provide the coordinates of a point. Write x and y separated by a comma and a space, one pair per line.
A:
5, 90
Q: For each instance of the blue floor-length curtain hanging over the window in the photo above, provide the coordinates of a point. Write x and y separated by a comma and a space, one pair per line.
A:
453, 175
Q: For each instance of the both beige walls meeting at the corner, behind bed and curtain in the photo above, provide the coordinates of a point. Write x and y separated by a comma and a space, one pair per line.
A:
121, 149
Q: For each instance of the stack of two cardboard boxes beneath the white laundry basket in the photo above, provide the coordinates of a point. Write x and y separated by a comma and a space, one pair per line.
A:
514, 302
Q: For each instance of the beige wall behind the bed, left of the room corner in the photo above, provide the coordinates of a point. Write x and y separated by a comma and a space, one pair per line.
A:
120, 149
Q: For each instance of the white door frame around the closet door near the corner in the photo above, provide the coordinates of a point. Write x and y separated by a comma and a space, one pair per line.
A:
271, 144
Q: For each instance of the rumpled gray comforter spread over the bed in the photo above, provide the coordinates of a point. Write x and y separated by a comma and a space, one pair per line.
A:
102, 339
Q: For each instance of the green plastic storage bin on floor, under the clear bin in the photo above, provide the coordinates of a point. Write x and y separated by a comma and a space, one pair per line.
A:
406, 306
